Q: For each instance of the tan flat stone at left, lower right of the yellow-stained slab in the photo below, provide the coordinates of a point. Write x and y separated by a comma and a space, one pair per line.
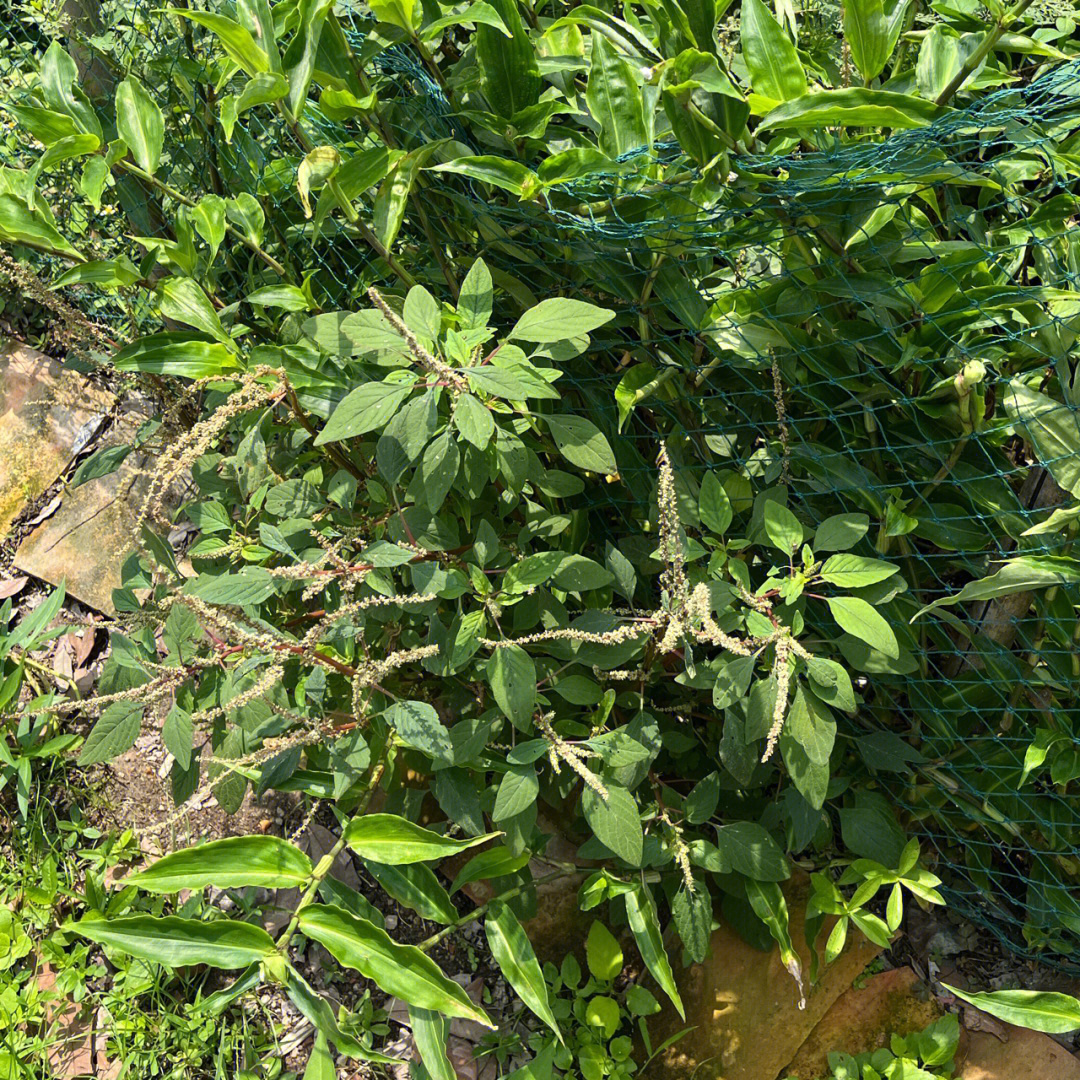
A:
88, 539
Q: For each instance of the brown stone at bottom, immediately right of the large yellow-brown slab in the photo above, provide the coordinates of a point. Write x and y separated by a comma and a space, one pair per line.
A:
863, 1019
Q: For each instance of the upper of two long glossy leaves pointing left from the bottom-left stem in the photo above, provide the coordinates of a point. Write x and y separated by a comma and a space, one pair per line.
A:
233, 863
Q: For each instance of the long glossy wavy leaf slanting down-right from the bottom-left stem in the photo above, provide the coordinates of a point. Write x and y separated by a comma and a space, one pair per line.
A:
399, 970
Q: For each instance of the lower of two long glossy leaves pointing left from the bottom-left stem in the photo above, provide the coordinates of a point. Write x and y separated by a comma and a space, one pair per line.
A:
179, 943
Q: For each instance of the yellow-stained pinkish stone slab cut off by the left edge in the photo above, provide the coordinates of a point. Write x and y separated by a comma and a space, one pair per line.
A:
48, 414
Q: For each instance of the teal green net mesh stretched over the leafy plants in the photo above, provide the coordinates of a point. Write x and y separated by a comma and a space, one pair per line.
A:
778, 368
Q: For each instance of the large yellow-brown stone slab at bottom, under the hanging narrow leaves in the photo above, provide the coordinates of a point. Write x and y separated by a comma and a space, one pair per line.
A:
745, 1006
